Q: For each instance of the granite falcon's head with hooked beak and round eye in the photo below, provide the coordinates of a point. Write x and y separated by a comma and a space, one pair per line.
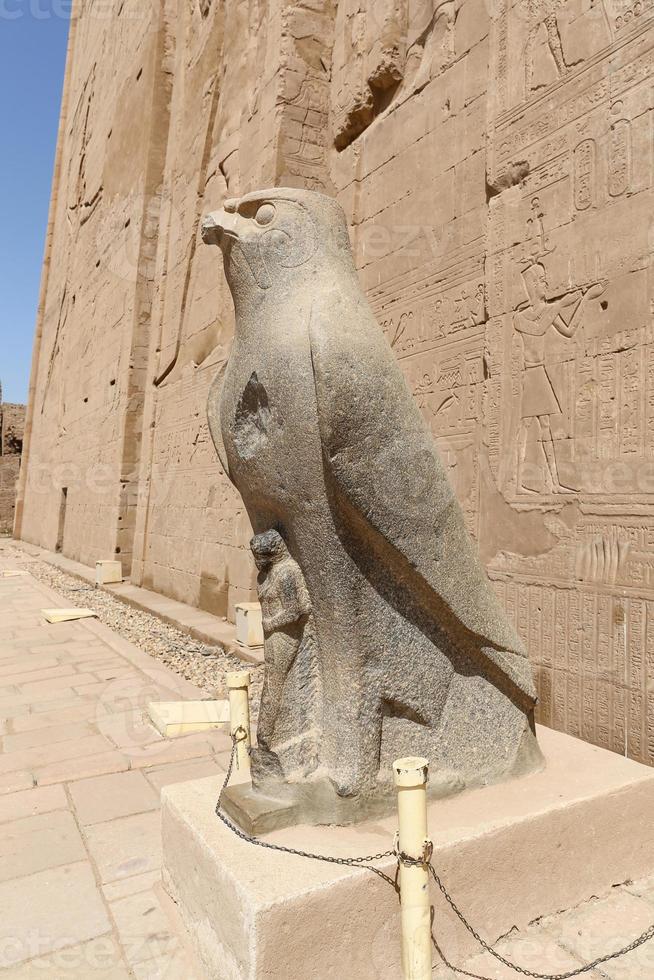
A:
271, 236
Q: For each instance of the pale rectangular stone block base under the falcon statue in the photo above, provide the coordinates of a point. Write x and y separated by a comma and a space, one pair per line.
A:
507, 853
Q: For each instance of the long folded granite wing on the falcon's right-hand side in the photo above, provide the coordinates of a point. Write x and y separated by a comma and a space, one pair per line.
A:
392, 491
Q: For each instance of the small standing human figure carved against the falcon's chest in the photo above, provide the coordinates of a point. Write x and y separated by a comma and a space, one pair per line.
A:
288, 649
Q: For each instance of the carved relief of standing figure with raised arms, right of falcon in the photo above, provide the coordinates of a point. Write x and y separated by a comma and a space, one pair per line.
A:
533, 320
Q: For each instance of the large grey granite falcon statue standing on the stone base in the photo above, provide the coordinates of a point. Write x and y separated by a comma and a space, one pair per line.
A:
317, 429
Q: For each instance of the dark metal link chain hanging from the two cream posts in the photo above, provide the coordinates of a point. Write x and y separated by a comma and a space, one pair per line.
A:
366, 863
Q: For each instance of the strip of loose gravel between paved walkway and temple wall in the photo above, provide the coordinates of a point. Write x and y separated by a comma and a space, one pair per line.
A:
203, 665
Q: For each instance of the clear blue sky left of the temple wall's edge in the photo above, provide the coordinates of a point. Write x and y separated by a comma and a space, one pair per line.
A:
33, 35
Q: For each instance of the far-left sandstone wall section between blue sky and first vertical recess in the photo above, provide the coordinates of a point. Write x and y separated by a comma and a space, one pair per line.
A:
89, 375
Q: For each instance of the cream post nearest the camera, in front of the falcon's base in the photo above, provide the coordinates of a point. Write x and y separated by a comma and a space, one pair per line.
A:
411, 782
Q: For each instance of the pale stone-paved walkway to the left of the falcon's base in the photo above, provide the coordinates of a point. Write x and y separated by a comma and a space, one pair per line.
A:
81, 770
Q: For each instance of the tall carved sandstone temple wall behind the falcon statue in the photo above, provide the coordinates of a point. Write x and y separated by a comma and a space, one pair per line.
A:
495, 159
